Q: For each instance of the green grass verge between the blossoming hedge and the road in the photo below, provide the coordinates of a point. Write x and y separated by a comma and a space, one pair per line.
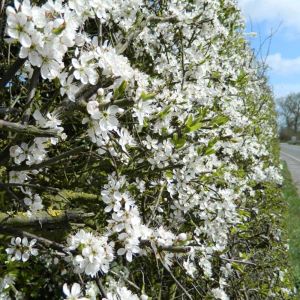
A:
293, 223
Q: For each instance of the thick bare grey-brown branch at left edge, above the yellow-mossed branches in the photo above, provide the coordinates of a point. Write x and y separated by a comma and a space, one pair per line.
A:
27, 129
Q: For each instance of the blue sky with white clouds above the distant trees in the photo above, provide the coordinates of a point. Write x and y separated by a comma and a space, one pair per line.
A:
281, 19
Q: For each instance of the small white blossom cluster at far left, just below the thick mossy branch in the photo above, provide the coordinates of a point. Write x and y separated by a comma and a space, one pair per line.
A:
21, 249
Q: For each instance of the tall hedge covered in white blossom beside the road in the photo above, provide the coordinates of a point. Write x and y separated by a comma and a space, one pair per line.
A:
138, 154
